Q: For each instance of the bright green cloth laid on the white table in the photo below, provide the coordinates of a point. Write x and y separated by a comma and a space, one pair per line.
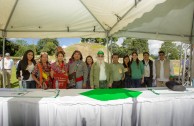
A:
111, 94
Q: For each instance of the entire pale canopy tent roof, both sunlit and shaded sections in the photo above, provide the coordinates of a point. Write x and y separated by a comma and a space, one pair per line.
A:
153, 19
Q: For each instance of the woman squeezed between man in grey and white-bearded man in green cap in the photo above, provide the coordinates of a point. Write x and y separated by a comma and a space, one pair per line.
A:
89, 61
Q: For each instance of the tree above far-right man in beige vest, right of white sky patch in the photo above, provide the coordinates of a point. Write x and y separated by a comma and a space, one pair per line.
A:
171, 50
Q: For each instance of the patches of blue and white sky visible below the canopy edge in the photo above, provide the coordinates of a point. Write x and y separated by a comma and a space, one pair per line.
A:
154, 45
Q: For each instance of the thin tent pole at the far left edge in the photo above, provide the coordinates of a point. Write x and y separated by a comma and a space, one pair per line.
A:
3, 69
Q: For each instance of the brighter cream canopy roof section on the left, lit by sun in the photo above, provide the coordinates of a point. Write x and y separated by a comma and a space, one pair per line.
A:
69, 18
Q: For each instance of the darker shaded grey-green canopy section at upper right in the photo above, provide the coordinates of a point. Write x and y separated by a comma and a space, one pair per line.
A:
172, 20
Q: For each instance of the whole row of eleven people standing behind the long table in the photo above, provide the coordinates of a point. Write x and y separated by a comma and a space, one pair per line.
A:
132, 73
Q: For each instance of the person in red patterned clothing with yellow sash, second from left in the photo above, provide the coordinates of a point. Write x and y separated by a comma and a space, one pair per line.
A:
41, 72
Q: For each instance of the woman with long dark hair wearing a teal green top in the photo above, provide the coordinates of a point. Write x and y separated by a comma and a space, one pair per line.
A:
137, 71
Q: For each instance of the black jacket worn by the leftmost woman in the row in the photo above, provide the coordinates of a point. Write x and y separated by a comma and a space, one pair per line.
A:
25, 73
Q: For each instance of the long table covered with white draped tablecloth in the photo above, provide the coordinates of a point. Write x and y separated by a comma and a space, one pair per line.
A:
157, 107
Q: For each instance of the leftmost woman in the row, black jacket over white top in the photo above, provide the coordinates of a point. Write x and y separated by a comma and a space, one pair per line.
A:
25, 68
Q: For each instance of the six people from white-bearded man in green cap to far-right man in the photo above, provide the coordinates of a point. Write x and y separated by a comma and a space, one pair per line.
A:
133, 73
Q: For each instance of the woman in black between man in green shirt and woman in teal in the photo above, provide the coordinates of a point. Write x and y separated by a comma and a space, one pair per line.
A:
127, 70
